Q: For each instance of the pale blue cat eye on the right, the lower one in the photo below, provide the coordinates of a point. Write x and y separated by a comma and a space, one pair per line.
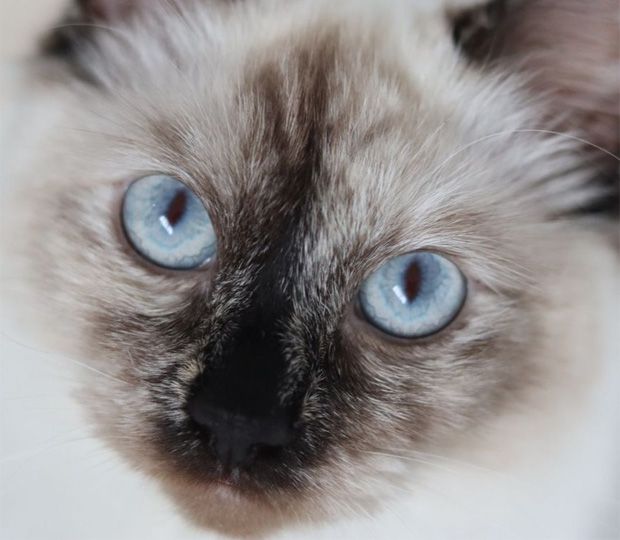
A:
413, 295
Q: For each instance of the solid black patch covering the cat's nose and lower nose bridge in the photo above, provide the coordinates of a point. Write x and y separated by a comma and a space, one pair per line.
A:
238, 399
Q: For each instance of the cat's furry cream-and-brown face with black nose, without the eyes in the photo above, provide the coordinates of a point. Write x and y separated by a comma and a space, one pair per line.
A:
322, 143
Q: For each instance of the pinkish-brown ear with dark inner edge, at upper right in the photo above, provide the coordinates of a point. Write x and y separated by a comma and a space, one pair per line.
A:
569, 51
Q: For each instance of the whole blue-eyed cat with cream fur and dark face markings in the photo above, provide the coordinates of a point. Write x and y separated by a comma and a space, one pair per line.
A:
262, 374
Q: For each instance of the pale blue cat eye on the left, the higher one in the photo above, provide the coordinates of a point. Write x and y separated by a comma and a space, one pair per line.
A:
167, 224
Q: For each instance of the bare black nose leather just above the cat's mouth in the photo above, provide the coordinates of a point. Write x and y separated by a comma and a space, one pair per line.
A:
238, 437
